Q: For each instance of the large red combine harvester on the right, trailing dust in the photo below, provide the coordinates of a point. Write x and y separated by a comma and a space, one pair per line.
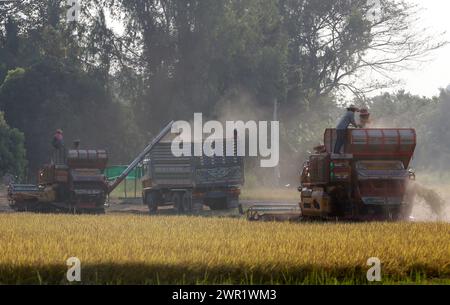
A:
367, 181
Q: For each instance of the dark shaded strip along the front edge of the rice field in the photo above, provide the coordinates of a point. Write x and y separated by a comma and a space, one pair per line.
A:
200, 274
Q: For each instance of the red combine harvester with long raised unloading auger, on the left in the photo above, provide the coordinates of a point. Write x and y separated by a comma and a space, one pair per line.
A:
73, 182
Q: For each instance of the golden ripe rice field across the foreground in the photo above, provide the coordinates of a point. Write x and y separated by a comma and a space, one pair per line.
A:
141, 249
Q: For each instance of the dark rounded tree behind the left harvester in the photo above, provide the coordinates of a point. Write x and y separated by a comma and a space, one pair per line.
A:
51, 95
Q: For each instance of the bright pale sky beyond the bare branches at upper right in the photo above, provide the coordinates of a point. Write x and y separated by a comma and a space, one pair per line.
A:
426, 78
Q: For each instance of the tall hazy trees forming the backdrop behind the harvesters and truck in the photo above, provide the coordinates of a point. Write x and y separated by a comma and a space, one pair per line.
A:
114, 78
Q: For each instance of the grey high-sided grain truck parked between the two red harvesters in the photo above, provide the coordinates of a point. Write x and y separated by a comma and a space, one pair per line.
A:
190, 182
